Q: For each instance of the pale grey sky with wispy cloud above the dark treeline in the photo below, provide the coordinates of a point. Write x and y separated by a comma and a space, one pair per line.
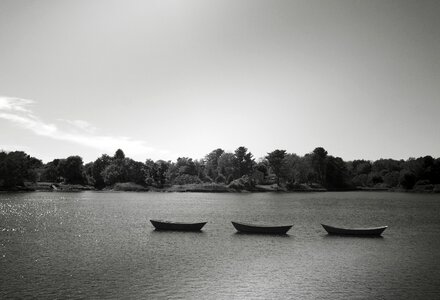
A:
171, 78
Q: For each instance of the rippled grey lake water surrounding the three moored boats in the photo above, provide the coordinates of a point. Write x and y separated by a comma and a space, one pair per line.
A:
101, 245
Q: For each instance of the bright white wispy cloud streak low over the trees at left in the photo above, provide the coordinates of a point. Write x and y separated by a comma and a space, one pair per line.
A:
17, 111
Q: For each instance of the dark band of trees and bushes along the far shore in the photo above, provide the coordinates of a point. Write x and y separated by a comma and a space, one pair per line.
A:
220, 171
